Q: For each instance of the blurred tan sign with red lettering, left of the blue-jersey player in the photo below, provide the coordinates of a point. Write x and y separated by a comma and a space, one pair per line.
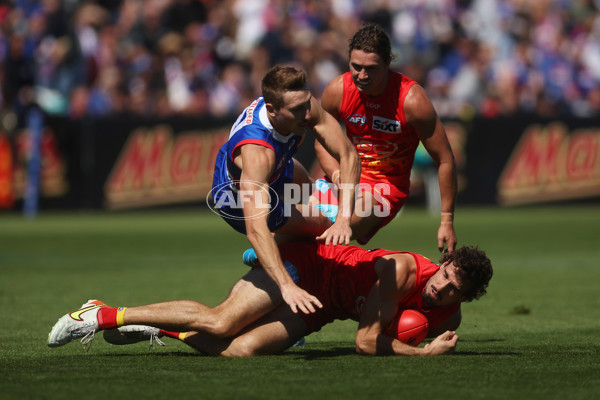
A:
157, 167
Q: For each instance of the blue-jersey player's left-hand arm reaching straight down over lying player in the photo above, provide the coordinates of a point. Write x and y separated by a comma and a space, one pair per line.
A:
257, 163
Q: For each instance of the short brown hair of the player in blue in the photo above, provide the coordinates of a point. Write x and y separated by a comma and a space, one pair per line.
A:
281, 79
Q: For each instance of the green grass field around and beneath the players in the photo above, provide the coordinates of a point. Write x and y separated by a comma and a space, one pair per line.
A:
533, 336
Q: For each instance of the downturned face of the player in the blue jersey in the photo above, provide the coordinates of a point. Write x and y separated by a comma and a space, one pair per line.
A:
294, 115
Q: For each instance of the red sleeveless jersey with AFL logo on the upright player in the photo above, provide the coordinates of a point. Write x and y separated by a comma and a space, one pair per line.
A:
377, 127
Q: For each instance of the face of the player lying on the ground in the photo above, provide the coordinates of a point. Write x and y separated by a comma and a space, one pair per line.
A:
444, 287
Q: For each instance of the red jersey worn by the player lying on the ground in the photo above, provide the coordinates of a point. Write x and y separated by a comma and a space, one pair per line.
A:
341, 277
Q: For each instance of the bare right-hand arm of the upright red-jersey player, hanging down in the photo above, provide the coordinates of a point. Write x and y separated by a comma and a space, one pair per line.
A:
421, 114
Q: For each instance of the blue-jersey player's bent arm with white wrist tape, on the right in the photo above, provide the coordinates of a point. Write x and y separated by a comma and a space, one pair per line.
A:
329, 133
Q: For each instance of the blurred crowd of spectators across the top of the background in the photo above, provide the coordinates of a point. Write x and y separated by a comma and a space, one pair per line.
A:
207, 57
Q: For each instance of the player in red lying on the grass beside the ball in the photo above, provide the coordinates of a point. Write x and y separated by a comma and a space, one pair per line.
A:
369, 286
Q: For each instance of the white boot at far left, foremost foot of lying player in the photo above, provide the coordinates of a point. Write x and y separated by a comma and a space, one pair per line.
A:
82, 323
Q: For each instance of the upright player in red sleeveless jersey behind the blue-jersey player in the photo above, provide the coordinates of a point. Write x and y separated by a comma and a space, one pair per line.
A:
386, 114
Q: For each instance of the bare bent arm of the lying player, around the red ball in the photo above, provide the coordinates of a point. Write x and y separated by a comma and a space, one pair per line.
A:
396, 280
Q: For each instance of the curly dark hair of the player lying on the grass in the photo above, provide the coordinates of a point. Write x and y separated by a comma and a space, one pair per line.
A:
473, 266
